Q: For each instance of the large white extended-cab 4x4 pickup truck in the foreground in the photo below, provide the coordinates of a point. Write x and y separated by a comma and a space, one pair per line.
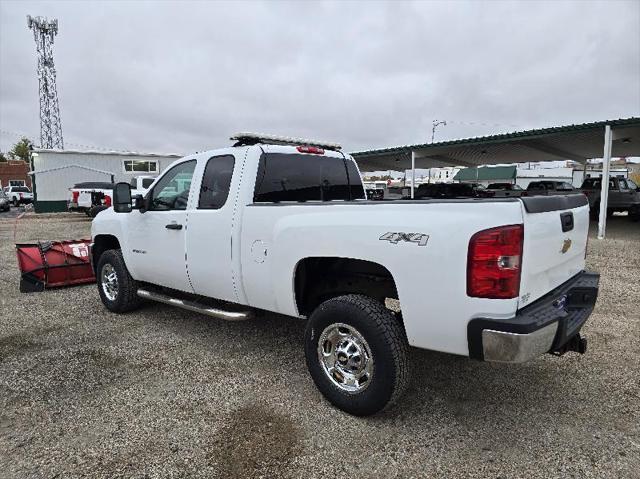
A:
281, 225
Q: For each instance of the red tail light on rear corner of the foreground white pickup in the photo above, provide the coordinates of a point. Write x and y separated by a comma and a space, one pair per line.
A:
494, 263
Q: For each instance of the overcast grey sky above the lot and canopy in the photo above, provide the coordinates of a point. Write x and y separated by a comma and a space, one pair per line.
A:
181, 77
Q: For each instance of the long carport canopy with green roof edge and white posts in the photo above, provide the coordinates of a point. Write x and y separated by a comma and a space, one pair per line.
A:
580, 143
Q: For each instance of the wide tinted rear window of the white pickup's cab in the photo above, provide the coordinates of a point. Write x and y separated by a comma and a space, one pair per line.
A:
291, 177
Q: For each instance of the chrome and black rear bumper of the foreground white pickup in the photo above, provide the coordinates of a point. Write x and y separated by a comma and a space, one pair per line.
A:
547, 325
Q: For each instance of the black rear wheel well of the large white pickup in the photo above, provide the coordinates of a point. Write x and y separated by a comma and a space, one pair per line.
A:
319, 279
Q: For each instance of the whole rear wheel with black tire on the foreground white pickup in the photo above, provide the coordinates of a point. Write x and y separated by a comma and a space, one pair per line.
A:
356, 352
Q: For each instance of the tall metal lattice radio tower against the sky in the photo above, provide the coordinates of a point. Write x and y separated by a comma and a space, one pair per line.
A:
44, 32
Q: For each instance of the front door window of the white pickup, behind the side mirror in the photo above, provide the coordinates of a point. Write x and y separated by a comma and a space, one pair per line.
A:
172, 190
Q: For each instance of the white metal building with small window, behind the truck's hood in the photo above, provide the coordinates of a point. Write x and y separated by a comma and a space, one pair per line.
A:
53, 172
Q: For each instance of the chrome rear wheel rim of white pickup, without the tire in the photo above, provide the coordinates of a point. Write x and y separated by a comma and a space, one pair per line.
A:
345, 357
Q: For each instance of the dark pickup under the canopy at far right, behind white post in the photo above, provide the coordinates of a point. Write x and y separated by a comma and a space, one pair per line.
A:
624, 195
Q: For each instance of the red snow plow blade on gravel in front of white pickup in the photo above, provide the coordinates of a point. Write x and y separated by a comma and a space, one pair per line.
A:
53, 264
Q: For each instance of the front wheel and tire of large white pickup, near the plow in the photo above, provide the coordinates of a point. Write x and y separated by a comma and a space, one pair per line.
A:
118, 290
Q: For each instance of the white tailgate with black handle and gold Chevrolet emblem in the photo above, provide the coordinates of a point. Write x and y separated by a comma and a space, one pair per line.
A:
555, 240
